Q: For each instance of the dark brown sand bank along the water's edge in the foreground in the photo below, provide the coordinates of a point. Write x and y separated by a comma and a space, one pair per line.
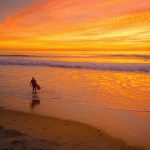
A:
23, 131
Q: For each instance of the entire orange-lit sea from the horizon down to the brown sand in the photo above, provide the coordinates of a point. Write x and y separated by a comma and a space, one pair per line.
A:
110, 91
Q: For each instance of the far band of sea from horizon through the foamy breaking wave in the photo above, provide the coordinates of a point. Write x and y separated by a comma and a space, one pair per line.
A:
113, 61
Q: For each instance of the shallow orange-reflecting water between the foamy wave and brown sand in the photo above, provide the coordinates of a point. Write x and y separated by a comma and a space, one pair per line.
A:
118, 102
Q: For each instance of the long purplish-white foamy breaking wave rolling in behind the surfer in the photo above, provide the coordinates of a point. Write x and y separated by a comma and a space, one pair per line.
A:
79, 65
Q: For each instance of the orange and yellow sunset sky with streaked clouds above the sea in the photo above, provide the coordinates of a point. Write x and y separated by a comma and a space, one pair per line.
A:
75, 25
